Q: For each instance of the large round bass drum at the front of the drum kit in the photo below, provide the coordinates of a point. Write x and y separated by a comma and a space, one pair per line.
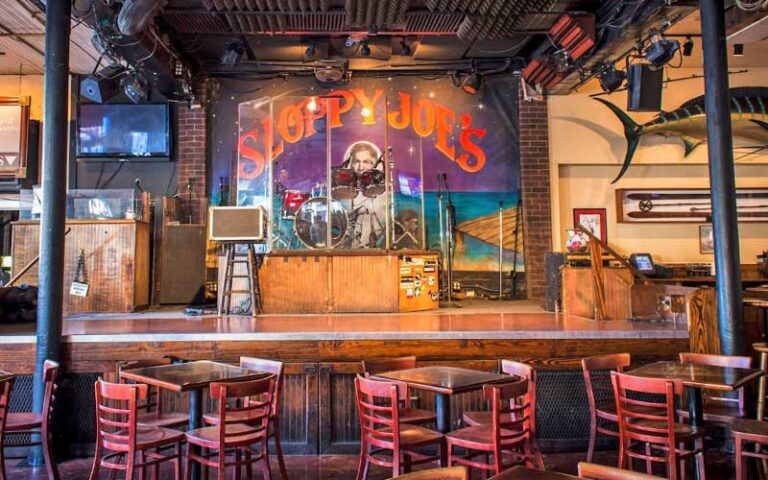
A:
311, 224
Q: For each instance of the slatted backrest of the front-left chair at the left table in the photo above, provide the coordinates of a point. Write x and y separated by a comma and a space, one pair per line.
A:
116, 412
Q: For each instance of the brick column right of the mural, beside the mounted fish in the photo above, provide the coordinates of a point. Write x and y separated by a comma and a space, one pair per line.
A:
535, 191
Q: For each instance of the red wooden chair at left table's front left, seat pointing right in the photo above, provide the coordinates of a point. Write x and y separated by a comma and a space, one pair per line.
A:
118, 432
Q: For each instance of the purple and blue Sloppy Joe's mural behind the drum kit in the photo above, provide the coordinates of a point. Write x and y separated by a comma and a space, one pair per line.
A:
378, 163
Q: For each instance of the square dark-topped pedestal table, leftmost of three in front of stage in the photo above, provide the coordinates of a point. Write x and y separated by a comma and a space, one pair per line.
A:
191, 377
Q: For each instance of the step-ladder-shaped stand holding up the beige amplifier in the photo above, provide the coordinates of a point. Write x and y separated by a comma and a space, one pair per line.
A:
252, 261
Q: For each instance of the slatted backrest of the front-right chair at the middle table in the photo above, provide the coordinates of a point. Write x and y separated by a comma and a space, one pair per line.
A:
510, 411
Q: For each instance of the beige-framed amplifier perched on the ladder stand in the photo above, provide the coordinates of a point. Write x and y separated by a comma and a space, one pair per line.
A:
237, 224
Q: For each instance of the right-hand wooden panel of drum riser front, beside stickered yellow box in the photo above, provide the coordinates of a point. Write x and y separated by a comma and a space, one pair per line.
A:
364, 284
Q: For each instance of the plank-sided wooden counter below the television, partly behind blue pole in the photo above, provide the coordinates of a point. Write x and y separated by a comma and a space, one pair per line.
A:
116, 262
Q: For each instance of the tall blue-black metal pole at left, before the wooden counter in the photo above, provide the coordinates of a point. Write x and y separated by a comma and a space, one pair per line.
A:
55, 147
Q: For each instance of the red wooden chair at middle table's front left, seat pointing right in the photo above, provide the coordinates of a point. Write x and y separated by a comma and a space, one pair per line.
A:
381, 430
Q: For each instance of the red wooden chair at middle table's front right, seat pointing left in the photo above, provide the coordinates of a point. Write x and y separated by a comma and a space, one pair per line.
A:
509, 431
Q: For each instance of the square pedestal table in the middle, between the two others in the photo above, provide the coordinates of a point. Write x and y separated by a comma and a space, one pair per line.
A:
444, 382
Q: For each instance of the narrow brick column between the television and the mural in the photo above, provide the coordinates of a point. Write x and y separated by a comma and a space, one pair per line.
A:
193, 159
